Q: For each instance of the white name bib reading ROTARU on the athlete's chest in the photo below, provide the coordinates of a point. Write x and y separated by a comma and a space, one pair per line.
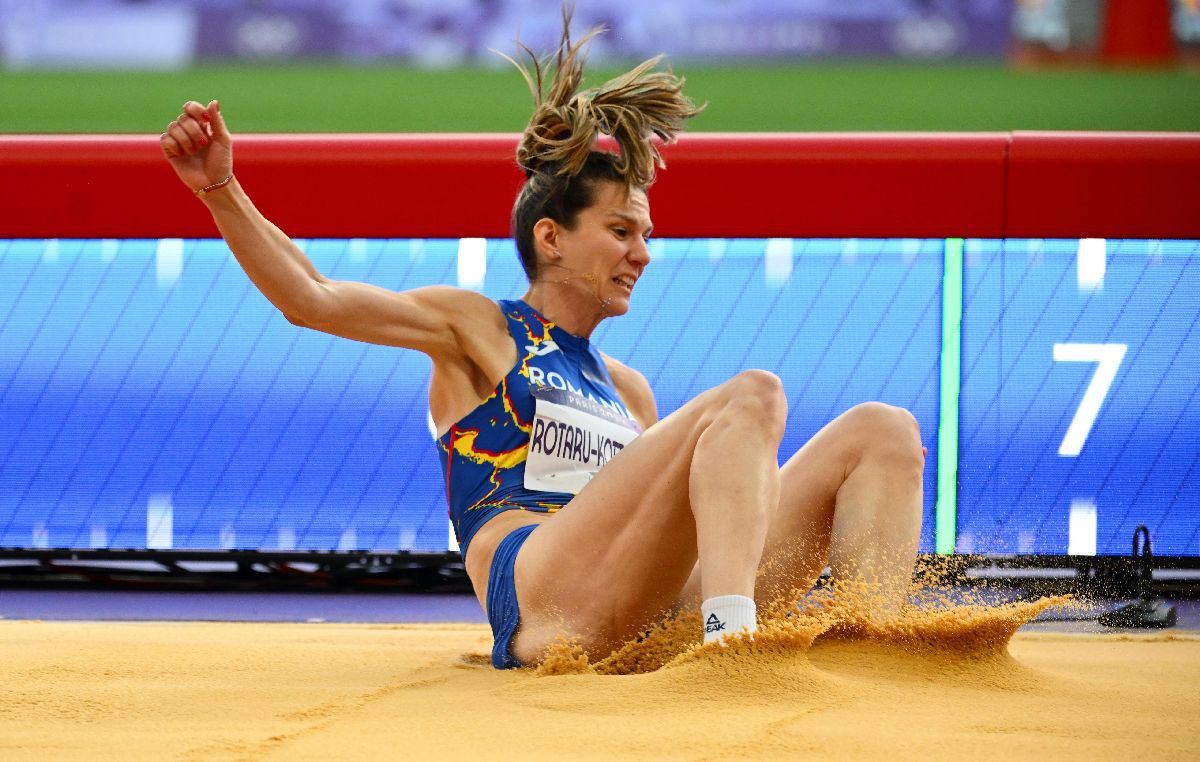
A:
573, 439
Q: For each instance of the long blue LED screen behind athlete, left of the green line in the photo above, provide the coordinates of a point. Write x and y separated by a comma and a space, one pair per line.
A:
151, 398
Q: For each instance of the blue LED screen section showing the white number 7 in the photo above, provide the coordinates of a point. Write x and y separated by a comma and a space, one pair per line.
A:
1079, 409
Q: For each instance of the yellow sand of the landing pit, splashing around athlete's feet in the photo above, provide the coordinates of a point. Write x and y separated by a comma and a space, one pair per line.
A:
952, 686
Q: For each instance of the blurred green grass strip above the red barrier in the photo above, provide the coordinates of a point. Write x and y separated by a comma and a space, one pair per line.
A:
809, 98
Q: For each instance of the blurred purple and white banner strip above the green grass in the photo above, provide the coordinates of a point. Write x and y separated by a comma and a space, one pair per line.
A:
171, 34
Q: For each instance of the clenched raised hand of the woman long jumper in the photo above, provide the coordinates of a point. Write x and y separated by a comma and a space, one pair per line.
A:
199, 147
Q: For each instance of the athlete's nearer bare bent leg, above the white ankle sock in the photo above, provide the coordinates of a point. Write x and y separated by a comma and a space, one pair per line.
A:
620, 554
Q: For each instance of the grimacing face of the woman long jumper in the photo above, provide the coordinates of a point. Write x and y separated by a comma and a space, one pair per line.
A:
608, 247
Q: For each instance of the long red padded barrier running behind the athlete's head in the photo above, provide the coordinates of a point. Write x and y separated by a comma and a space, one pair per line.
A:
986, 185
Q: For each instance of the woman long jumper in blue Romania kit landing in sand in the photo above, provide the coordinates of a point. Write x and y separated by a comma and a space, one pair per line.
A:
578, 511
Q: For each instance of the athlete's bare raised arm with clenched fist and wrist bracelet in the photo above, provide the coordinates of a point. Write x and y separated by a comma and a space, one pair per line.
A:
200, 149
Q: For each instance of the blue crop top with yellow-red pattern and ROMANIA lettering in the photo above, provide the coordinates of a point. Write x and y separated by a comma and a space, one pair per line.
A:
484, 454
